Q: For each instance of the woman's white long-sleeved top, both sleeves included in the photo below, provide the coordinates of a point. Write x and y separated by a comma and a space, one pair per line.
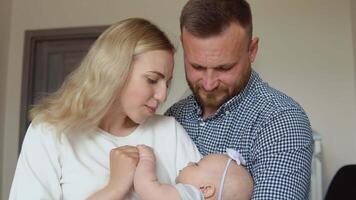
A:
77, 165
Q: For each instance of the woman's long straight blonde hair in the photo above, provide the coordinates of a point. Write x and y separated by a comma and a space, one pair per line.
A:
89, 91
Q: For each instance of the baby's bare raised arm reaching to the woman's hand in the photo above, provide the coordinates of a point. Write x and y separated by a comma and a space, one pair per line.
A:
145, 181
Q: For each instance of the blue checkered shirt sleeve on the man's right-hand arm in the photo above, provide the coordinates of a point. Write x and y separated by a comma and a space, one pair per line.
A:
282, 158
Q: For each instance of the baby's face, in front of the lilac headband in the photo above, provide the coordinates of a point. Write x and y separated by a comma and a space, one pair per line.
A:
205, 170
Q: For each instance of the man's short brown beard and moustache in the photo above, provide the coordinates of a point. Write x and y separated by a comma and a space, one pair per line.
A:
212, 99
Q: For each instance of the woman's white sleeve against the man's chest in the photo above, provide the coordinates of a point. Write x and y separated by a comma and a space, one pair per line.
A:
186, 149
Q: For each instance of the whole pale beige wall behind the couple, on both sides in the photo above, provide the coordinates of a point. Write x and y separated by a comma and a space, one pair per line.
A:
306, 51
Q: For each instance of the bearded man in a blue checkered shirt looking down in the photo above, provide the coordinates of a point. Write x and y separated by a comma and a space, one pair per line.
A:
232, 108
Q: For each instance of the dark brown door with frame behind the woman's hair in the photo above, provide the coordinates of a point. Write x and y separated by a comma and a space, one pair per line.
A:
50, 55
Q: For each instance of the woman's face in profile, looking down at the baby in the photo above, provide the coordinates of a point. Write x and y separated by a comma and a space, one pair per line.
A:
147, 85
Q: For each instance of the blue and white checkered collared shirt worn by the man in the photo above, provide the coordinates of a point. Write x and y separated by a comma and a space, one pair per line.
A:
269, 129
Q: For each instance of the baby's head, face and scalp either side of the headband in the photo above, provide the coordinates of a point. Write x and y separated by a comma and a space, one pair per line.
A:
207, 175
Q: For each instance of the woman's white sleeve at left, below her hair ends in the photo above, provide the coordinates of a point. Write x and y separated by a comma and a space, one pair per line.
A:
38, 170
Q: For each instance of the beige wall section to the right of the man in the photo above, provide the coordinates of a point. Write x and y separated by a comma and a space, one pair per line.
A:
306, 51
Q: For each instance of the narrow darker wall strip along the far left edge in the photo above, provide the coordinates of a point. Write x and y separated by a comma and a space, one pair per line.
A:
5, 8
